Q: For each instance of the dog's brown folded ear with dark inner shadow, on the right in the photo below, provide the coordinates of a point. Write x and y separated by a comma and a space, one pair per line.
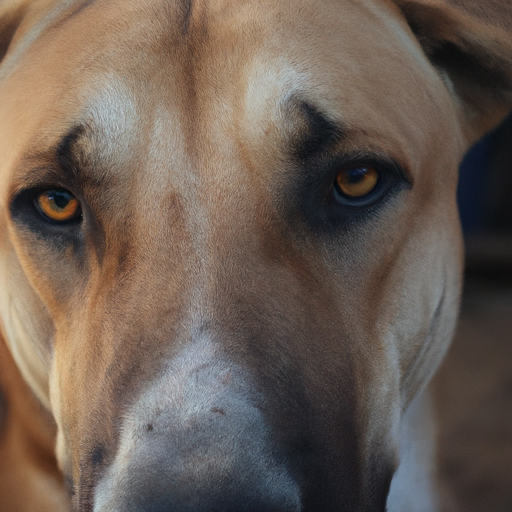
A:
474, 58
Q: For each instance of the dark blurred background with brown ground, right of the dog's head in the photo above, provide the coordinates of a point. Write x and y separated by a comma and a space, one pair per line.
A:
473, 389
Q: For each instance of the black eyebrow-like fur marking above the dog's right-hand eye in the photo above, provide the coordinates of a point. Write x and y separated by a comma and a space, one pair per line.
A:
315, 133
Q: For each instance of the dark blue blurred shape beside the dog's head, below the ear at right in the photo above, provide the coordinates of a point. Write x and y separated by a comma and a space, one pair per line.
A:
473, 185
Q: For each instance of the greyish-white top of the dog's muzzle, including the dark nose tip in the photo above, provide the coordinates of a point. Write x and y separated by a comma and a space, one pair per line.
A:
197, 441
